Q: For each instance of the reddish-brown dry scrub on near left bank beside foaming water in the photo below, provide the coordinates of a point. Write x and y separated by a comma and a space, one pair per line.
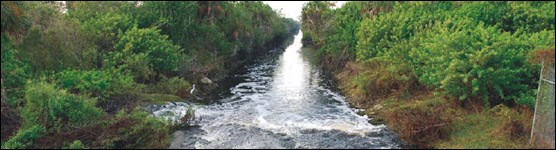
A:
131, 130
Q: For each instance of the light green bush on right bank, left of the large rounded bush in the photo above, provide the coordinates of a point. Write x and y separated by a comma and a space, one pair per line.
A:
389, 34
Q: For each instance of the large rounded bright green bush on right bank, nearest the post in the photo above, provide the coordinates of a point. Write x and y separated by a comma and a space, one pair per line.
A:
474, 63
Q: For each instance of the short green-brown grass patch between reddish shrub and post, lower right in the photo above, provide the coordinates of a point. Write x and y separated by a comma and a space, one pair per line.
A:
486, 130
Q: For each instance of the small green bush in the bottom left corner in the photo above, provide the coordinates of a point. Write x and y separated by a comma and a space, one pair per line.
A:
24, 137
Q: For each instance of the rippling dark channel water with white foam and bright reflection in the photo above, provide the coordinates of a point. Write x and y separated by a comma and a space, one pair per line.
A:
280, 100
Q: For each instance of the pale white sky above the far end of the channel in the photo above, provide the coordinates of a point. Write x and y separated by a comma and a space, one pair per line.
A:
292, 9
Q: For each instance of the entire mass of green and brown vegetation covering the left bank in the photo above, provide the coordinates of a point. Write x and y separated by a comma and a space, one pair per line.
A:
71, 70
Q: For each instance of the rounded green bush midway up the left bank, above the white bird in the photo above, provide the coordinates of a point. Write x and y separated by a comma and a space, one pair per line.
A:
146, 49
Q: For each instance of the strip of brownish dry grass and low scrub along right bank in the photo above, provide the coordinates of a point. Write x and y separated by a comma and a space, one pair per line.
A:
425, 120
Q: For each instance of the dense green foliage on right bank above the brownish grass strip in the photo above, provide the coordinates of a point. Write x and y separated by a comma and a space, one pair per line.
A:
467, 50
